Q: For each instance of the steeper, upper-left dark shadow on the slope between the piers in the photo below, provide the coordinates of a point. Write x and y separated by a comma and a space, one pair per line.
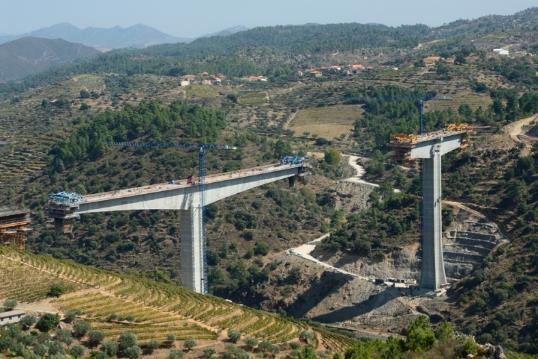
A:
328, 283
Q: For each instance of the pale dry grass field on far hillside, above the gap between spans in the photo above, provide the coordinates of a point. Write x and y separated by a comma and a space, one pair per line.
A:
327, 122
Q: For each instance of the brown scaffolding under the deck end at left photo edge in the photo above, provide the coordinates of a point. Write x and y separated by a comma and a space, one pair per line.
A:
14, 227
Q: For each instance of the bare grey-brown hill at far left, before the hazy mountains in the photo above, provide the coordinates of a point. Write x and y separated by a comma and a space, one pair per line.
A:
31, 55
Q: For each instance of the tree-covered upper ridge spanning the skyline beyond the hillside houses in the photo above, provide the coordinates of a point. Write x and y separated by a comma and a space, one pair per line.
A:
277, 50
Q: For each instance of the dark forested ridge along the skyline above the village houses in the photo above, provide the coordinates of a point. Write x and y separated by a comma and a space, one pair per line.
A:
281, 48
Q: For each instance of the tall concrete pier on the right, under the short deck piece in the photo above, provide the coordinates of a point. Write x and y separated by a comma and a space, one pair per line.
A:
433, 270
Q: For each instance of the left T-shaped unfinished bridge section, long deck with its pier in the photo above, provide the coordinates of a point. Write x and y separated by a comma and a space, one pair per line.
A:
184, 196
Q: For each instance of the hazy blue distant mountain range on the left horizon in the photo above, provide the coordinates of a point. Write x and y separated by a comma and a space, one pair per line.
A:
136, 36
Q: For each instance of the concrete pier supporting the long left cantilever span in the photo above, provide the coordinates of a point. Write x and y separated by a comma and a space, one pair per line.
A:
192, 250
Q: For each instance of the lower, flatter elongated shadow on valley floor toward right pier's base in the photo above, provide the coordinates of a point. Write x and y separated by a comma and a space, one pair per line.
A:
373, 302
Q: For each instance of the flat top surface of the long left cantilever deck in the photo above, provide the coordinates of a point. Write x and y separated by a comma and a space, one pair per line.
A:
178, 184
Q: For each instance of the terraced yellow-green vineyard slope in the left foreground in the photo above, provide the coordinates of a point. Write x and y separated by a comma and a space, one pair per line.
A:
116, 304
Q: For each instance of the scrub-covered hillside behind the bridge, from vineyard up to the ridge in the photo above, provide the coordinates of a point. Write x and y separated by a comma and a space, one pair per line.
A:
55, 130
